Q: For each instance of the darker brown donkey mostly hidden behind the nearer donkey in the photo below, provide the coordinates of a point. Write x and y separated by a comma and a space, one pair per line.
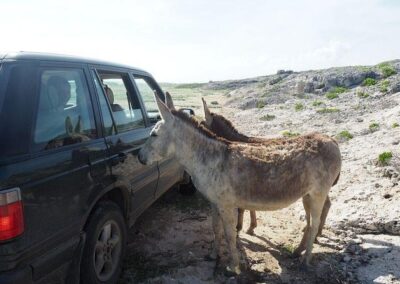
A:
224, 128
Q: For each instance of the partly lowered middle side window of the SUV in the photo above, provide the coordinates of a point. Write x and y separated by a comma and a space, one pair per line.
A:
124, 106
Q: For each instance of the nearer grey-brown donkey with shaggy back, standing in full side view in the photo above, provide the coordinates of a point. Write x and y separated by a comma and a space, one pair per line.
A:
267, 176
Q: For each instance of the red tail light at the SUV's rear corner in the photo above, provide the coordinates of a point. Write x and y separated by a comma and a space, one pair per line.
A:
11, 214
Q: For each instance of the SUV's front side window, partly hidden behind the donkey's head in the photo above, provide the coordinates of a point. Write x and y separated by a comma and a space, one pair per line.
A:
147, 88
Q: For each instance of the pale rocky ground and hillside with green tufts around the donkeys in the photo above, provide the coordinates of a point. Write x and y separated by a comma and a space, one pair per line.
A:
361, 244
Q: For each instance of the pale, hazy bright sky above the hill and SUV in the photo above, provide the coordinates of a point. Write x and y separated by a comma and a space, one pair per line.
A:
198, 41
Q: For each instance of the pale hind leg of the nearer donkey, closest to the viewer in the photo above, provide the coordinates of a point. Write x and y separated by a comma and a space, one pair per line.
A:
317, 201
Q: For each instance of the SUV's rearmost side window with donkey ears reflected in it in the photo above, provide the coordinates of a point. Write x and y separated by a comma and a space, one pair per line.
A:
65, 113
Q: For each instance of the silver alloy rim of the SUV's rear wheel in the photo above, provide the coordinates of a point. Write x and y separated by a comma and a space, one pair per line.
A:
107, 251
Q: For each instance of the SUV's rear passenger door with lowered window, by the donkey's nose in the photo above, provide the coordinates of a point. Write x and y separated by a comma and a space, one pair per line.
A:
125, 132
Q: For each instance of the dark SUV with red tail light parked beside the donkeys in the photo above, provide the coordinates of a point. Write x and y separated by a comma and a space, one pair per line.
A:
70, 180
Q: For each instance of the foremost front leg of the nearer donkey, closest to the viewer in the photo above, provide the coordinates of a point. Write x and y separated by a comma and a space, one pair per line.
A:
228, 216
